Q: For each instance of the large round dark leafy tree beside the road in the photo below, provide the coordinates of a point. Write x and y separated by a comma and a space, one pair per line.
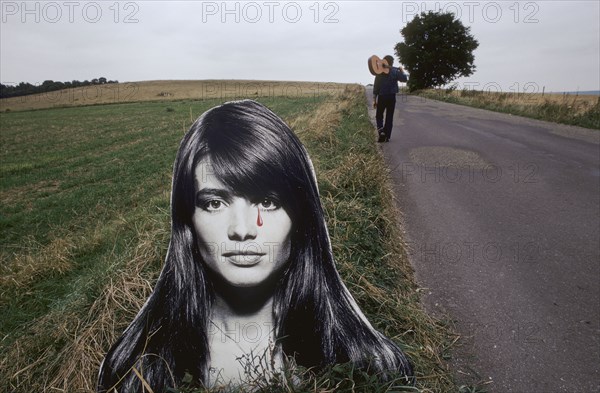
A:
437, 49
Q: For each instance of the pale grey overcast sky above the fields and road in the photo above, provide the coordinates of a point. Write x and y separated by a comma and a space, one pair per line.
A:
525, 45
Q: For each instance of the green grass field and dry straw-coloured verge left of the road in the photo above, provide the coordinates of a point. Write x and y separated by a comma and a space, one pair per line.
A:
84, 226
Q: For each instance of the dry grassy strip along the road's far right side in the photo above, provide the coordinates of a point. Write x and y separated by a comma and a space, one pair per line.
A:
578, 110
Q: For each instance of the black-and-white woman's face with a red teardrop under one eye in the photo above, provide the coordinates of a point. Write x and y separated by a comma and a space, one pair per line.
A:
246, 242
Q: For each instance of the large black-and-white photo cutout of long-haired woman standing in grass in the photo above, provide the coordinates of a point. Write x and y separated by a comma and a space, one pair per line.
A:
249, 257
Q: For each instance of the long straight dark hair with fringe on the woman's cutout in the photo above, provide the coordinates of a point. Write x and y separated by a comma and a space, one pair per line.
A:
316, 320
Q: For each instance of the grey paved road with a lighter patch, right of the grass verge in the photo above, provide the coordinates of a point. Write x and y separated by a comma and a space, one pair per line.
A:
502, 216
